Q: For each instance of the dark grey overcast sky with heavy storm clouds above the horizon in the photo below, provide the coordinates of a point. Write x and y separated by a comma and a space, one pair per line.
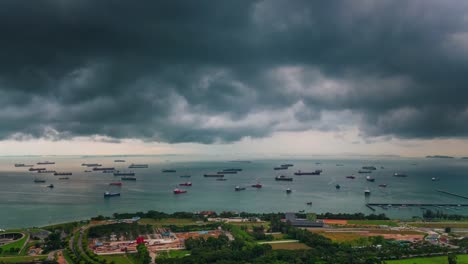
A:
306, 77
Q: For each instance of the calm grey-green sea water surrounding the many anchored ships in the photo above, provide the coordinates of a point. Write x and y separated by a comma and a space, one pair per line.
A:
24, 203
